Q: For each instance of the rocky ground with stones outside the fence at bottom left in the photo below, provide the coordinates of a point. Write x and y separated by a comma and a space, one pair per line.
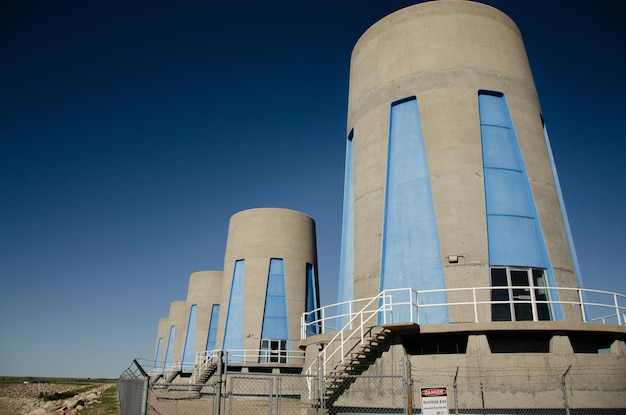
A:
22, 399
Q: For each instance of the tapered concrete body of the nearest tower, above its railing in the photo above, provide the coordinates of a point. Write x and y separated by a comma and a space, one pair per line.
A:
442, 56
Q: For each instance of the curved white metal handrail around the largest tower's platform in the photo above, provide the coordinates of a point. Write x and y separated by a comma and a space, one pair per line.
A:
323, 320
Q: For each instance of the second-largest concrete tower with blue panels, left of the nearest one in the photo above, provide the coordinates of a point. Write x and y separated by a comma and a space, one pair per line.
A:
270, 279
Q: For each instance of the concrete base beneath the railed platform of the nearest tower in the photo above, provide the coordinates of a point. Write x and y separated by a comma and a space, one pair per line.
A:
490, 378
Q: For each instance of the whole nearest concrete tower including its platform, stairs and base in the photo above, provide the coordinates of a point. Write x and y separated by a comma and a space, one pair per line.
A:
452, 200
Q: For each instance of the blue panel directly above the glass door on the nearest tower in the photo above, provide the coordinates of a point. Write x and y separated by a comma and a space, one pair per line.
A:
514, 234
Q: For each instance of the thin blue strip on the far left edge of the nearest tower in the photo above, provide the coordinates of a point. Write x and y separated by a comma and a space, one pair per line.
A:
346, 265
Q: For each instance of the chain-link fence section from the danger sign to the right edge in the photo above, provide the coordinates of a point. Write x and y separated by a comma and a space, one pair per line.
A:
539, 391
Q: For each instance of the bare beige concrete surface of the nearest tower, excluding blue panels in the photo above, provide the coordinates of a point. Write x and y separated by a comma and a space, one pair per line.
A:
442, 53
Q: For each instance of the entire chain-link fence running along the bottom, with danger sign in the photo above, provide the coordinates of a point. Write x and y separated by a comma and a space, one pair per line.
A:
408, 391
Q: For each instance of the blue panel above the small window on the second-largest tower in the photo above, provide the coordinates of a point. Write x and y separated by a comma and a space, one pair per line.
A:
275, 324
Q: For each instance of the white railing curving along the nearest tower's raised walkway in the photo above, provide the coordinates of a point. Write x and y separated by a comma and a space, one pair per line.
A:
408, 305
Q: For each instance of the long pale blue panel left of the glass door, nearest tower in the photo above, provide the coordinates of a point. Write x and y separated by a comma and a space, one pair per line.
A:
410, 243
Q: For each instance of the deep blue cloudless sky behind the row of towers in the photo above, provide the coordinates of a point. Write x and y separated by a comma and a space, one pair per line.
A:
130, 132
